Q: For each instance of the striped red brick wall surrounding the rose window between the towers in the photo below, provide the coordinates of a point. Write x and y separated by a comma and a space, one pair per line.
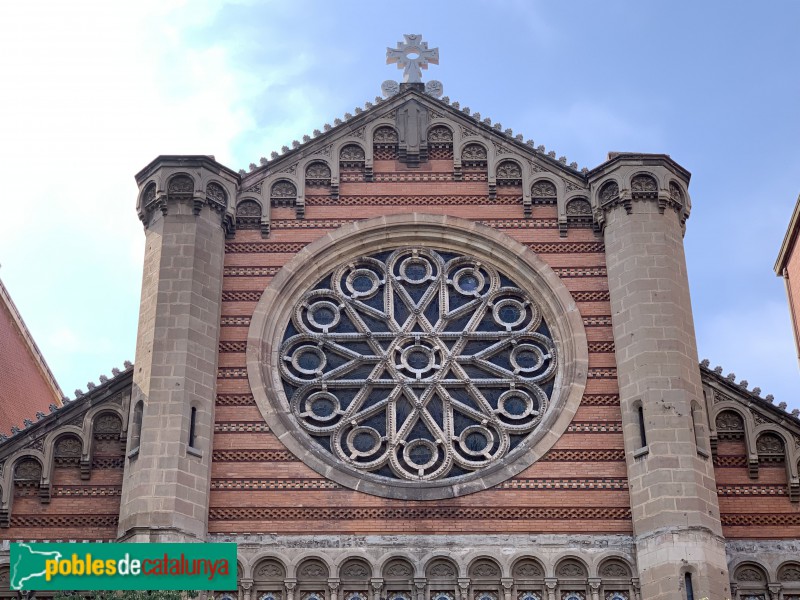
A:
258, 486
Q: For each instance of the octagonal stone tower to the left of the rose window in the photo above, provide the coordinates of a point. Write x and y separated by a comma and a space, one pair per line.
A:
184, 205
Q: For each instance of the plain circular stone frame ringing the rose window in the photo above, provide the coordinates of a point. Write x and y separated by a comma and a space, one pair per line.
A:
445, 233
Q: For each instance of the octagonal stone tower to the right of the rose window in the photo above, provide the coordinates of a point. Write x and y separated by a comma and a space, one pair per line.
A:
641, 204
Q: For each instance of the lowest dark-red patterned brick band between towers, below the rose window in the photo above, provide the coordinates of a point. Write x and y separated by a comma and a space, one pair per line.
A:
427, 512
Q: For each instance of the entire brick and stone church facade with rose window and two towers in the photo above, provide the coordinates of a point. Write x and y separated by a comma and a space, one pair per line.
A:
414, 357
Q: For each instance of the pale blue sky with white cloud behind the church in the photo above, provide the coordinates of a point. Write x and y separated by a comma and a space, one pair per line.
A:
92, 91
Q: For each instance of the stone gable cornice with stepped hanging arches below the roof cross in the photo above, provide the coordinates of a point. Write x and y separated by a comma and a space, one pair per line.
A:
411, 119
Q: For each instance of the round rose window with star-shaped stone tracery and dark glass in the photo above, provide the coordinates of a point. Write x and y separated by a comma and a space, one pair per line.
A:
417, 365
